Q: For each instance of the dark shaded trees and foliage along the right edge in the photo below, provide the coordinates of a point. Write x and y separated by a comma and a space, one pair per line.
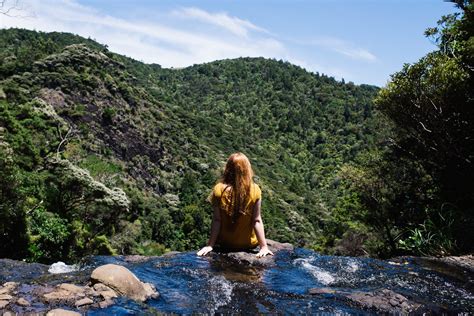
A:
421, 186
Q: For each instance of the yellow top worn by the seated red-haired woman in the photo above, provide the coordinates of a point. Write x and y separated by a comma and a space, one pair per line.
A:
241, 234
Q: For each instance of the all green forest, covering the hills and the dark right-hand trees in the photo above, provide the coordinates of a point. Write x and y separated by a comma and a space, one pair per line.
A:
102, 154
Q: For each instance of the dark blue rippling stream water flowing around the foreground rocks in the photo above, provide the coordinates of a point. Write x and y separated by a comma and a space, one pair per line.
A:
191, 284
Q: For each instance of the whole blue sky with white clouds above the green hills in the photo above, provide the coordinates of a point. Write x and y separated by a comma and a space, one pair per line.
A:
363, 41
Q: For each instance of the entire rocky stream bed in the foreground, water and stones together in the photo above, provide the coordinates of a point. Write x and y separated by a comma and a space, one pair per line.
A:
294, 280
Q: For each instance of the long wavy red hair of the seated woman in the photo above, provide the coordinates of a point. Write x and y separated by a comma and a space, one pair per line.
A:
238, 176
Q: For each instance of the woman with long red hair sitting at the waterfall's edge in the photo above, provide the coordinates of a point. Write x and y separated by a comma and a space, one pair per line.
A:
236, 200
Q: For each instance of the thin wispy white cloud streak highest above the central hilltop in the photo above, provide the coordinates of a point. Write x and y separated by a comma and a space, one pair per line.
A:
232, 24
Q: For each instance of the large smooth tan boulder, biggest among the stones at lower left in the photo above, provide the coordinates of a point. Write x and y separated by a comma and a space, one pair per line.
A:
123, 281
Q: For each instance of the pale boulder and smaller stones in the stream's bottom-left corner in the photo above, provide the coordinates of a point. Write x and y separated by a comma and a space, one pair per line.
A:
106, 283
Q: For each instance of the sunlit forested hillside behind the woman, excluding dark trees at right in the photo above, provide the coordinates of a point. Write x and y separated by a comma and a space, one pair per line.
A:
160, 136
